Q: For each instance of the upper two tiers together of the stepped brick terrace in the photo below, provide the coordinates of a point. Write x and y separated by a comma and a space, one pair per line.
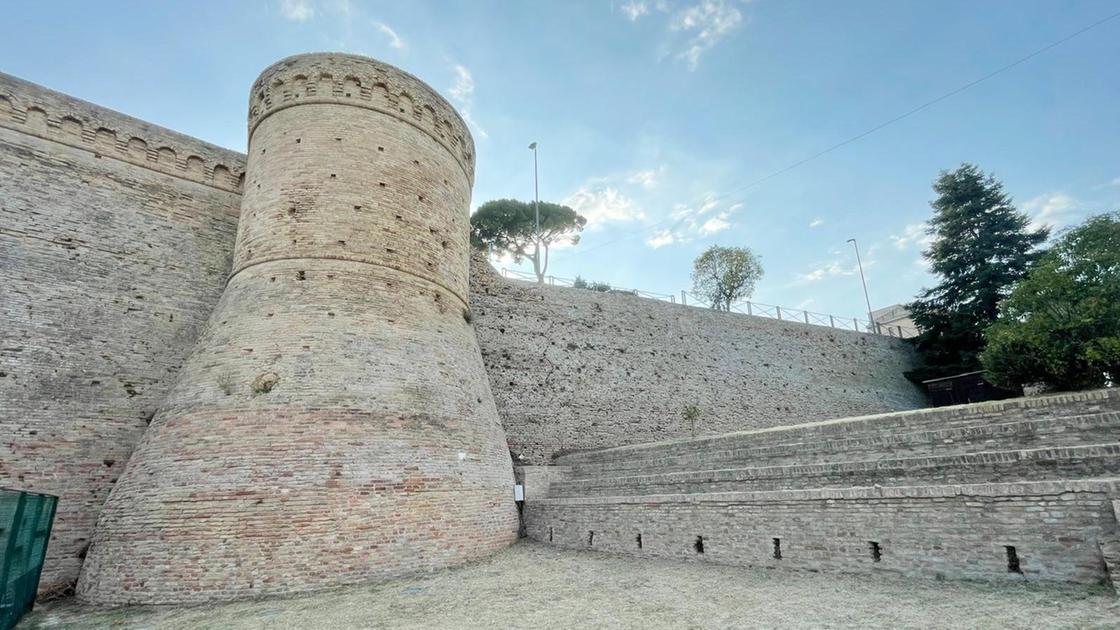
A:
1066, 420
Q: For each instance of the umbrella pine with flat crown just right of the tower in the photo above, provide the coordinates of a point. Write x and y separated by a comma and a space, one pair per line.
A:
510, 227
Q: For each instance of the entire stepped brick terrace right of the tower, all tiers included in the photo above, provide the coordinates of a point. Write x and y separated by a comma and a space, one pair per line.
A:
1021, 489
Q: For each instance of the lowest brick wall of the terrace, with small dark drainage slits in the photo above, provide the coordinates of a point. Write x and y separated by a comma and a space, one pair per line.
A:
955, 532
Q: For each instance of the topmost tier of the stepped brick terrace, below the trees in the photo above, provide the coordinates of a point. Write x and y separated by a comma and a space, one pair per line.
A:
1068, 405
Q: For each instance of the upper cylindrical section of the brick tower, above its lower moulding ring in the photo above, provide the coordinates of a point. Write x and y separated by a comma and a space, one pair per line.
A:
354, 160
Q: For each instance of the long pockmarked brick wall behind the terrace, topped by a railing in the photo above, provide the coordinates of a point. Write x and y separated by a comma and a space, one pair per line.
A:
574, 369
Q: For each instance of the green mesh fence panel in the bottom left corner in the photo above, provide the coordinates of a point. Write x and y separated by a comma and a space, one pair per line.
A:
25, 530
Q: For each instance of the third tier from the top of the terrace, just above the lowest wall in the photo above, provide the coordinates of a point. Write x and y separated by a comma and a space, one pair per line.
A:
1034, 465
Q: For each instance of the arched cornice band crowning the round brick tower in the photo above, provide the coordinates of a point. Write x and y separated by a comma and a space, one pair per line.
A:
353, 80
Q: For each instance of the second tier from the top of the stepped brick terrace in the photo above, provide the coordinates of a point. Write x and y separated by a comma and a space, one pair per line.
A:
1078, 431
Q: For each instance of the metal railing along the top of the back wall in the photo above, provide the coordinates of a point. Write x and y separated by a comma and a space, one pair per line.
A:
759, 310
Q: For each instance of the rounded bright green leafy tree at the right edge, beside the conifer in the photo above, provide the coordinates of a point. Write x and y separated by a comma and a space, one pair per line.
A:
1061, 326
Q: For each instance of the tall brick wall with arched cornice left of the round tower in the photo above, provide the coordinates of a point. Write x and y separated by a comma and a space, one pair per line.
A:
116, 239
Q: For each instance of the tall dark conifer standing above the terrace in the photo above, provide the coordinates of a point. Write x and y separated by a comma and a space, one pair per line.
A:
982, 247
